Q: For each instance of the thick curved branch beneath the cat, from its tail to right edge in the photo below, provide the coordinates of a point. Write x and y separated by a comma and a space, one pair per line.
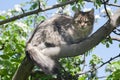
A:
82, 47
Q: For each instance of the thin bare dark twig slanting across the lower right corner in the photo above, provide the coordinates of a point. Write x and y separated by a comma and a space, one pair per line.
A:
99, 66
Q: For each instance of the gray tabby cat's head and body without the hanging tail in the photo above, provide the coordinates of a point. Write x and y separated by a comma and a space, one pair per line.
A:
63, 29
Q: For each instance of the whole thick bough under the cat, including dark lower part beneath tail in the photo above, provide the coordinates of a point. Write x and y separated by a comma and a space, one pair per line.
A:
73, 49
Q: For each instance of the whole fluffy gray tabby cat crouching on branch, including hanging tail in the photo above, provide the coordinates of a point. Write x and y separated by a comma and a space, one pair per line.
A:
56, 31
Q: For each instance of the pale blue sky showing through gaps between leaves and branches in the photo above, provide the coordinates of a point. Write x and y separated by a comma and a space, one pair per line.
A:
100, 50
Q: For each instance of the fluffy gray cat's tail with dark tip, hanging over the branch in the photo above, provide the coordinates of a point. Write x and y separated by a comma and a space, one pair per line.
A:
48, 65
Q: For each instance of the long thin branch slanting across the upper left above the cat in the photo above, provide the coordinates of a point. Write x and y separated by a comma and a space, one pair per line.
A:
35, 12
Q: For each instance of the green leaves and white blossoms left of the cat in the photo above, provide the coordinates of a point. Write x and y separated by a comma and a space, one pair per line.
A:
13, 37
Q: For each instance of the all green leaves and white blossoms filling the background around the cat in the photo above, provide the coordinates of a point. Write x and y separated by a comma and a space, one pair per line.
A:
14, 35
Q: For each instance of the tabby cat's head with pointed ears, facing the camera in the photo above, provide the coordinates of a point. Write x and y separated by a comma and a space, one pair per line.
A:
83, 20
